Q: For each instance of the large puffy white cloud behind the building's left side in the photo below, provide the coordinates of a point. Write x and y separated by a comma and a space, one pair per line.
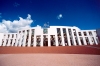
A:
7, 26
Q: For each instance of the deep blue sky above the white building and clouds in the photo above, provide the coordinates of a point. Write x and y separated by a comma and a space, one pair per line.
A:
84, 14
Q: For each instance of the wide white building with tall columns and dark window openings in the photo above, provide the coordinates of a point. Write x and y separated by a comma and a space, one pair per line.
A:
52, 36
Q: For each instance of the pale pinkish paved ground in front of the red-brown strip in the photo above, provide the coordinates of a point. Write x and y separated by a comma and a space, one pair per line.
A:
49, 60
